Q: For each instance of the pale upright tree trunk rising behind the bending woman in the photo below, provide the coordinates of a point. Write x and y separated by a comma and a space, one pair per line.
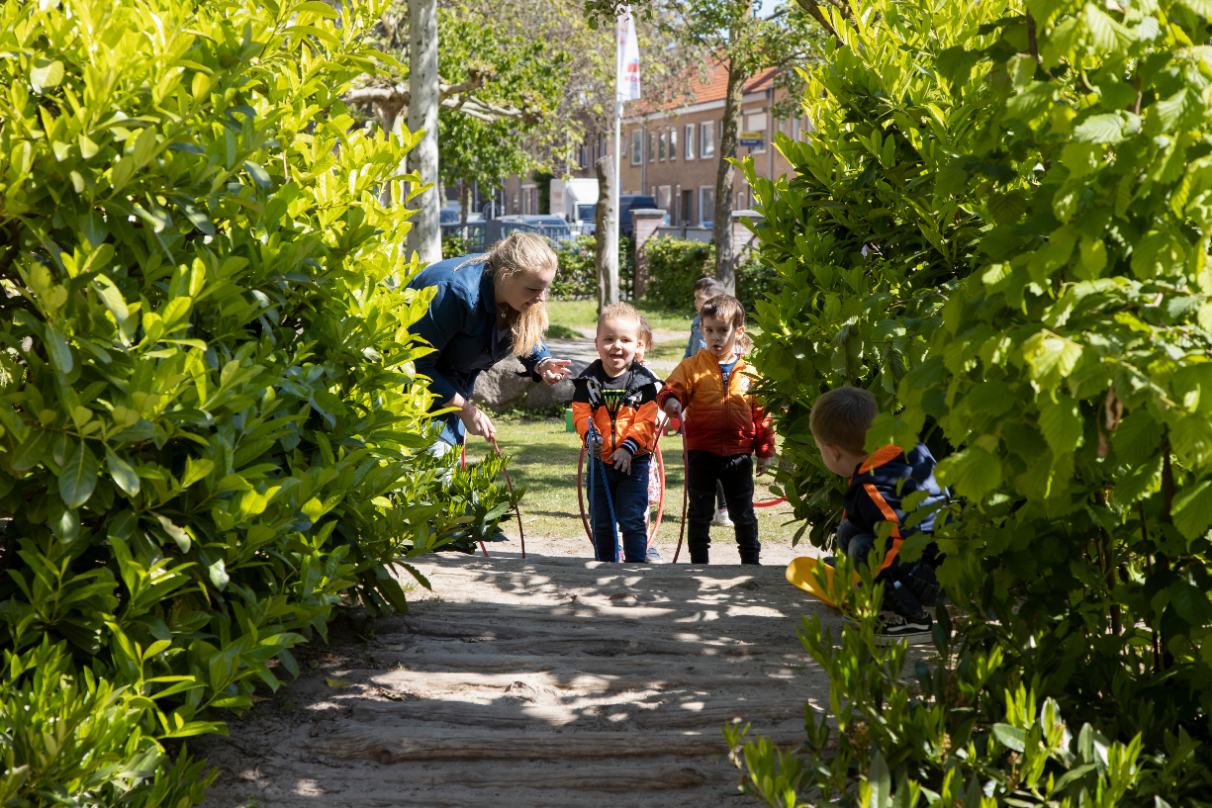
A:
426, 237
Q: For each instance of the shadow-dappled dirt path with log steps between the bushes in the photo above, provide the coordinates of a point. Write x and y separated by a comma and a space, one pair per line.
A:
551, 683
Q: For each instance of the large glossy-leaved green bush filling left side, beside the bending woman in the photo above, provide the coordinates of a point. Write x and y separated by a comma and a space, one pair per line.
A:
210, 431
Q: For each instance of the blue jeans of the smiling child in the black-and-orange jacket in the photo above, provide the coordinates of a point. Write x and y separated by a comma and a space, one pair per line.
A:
630, 497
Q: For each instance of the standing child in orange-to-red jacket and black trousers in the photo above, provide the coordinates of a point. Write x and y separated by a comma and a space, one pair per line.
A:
723, 428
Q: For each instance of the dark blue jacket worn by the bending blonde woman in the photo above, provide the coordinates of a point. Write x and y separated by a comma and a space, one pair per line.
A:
462, 328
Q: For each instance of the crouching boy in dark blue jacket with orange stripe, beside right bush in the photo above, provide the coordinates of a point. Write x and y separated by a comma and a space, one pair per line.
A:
879, 484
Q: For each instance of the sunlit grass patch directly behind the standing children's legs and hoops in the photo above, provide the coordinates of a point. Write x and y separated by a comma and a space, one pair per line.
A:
544, 460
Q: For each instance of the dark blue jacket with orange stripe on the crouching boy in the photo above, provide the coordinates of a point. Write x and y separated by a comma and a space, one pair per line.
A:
882, 484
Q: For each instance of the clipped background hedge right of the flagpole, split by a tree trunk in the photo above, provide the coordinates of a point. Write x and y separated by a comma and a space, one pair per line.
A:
676, 266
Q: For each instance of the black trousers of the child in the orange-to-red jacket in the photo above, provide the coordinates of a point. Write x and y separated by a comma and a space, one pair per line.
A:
736, 474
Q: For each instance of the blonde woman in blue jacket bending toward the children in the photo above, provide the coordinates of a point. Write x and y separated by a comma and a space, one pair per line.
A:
485, 308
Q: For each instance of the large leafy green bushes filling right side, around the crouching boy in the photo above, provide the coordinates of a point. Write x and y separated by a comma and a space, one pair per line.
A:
999, 227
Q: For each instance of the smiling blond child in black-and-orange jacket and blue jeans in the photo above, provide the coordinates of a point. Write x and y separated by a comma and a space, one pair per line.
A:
620, 396
